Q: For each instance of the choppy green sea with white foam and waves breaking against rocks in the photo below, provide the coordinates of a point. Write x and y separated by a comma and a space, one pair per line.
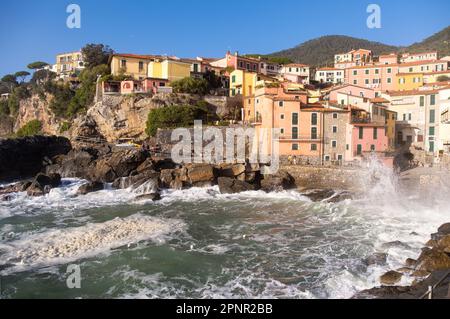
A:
198, 243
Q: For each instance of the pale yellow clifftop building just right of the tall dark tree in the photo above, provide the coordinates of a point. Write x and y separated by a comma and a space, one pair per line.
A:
131, 64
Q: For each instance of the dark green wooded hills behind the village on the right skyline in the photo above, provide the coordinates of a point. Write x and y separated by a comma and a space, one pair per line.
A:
320, 51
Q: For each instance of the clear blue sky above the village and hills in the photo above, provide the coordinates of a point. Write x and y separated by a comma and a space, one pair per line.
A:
36, 30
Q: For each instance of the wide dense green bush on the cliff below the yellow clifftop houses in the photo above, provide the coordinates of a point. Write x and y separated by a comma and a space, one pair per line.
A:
174, 116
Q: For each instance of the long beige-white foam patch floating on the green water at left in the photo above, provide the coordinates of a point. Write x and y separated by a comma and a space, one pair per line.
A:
59, 246
